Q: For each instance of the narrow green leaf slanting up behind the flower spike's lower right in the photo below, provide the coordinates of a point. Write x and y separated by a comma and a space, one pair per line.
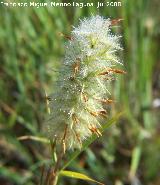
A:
93, 138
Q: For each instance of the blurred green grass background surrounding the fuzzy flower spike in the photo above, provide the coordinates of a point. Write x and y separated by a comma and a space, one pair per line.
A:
31, 49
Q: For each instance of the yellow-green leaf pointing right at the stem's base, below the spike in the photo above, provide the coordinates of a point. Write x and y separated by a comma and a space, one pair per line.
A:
77, 175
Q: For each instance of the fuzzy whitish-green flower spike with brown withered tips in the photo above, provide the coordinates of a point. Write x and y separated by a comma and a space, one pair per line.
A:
77, 105
